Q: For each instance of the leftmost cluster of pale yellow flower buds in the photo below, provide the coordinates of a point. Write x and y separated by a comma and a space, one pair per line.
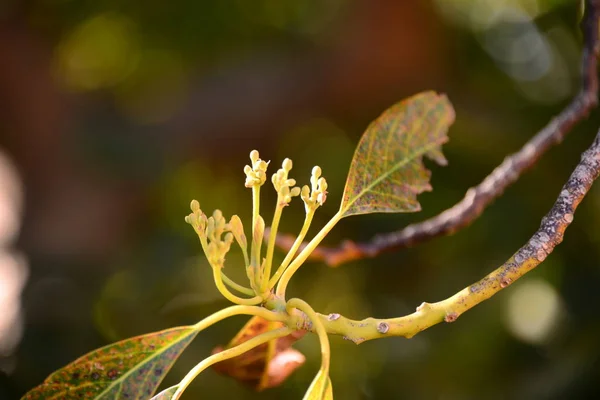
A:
211, 231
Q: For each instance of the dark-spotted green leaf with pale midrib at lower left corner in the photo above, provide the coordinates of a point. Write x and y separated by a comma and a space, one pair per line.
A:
130, 369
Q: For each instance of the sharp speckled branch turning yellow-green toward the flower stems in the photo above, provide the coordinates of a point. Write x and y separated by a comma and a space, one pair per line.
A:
541, 244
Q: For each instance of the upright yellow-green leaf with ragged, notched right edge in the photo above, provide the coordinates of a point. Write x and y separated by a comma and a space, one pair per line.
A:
387, 170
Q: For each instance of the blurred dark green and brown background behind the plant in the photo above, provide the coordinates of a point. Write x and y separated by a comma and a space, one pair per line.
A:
114, 115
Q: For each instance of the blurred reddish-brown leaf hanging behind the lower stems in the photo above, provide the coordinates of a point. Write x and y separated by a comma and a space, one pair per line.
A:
267, 365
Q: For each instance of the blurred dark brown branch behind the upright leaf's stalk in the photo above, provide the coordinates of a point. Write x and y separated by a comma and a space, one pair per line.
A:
479, 197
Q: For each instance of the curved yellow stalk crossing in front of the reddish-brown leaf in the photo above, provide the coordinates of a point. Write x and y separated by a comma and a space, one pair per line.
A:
229, 353
